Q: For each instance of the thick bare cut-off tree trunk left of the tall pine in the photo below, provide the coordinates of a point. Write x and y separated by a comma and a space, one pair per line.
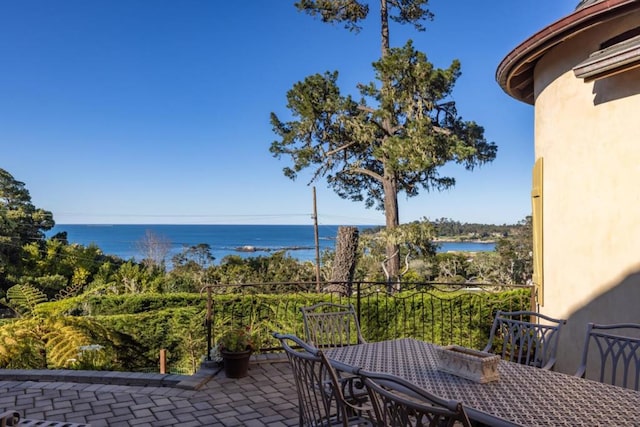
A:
344, 264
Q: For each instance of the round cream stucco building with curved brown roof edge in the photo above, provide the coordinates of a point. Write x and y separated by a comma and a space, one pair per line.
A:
582, 75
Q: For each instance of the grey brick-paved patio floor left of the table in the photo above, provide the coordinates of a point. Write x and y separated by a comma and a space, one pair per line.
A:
267, 397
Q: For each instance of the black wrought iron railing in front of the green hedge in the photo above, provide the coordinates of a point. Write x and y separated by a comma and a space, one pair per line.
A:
442, 313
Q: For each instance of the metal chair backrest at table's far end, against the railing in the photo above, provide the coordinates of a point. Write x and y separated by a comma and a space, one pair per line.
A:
329, 325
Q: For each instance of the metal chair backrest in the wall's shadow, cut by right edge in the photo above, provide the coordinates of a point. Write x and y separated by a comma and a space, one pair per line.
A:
611, 354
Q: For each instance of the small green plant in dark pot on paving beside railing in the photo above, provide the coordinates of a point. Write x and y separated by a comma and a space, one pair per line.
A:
236, 346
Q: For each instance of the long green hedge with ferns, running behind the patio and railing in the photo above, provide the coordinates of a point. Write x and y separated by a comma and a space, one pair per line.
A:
177, 323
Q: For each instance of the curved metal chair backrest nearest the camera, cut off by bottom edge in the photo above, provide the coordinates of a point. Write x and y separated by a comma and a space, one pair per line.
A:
397, 402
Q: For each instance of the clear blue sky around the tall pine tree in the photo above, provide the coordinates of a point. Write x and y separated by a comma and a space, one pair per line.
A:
157, 111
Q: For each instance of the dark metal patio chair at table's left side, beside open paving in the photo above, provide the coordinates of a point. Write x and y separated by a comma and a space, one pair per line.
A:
321, 400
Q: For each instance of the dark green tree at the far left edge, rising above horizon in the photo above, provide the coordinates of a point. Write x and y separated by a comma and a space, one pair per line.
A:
20, 223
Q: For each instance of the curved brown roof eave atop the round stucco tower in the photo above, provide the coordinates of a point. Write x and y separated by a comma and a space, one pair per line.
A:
515, 72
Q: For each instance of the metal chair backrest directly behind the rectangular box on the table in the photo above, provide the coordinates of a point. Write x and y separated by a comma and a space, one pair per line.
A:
519, 338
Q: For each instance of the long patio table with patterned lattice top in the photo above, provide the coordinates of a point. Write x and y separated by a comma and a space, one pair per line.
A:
523, 396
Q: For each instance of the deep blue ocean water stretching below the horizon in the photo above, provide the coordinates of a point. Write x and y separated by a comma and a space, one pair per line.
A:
298, 240
